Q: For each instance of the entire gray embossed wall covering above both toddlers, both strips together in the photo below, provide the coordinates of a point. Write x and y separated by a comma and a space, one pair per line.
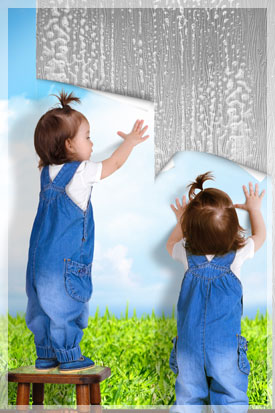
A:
205, 69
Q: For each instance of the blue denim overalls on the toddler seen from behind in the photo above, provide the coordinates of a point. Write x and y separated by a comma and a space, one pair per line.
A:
209, 354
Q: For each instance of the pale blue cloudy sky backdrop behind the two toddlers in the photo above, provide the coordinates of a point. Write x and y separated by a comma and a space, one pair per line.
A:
132, 213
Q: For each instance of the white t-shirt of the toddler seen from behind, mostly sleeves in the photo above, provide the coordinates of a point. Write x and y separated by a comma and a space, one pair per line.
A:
247, 251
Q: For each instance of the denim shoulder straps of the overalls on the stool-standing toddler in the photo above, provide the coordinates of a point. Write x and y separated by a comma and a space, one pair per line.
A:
62, 178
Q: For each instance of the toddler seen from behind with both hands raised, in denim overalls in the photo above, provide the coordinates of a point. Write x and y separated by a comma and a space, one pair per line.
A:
209, 353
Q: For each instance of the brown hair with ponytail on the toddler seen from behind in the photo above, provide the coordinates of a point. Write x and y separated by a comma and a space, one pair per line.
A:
209, 222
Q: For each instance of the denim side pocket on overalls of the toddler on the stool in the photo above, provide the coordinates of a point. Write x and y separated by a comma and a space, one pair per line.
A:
78, 280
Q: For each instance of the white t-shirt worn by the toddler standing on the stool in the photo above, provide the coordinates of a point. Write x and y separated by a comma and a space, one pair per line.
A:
79, 187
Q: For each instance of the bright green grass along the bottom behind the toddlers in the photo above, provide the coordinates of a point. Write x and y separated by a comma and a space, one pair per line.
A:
137, 350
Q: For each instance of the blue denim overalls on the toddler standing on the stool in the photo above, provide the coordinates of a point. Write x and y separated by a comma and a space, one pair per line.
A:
58, 279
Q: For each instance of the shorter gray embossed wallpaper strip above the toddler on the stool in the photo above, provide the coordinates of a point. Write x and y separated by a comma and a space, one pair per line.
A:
105, 49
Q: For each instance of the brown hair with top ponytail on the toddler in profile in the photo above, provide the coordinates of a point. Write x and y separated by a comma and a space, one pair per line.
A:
53, 128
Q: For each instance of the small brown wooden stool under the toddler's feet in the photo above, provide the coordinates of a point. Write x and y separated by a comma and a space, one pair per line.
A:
86, 381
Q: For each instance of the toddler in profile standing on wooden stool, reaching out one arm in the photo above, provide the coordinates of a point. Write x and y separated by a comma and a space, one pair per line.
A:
58, 279
